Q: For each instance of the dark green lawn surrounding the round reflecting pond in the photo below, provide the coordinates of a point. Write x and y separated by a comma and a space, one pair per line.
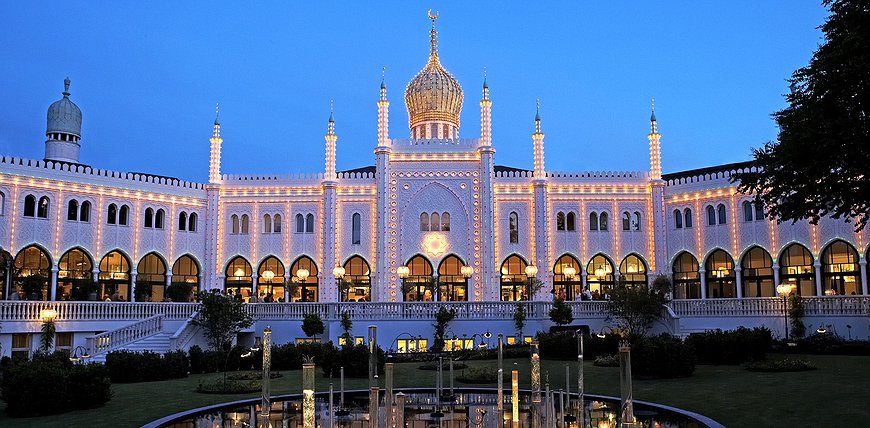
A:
836, 394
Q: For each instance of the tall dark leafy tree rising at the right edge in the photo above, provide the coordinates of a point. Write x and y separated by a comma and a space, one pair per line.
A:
820, 164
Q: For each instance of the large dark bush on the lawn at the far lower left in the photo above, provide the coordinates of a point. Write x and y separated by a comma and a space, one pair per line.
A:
51, 384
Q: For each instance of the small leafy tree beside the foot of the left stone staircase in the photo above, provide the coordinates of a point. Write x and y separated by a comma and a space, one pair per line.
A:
221, 319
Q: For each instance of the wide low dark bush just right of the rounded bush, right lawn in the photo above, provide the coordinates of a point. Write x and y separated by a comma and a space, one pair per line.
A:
732, 346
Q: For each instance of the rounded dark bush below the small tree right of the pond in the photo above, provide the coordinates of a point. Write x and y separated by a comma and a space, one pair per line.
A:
662, 356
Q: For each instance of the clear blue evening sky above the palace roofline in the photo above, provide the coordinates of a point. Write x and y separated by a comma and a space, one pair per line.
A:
147, 74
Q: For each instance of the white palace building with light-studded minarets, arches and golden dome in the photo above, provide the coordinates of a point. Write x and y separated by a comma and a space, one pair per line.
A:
104, 249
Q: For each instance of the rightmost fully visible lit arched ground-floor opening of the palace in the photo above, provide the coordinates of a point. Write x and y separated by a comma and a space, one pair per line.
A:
841, 275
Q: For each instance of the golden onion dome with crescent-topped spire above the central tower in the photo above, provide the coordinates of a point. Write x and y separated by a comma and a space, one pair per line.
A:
433, 94
